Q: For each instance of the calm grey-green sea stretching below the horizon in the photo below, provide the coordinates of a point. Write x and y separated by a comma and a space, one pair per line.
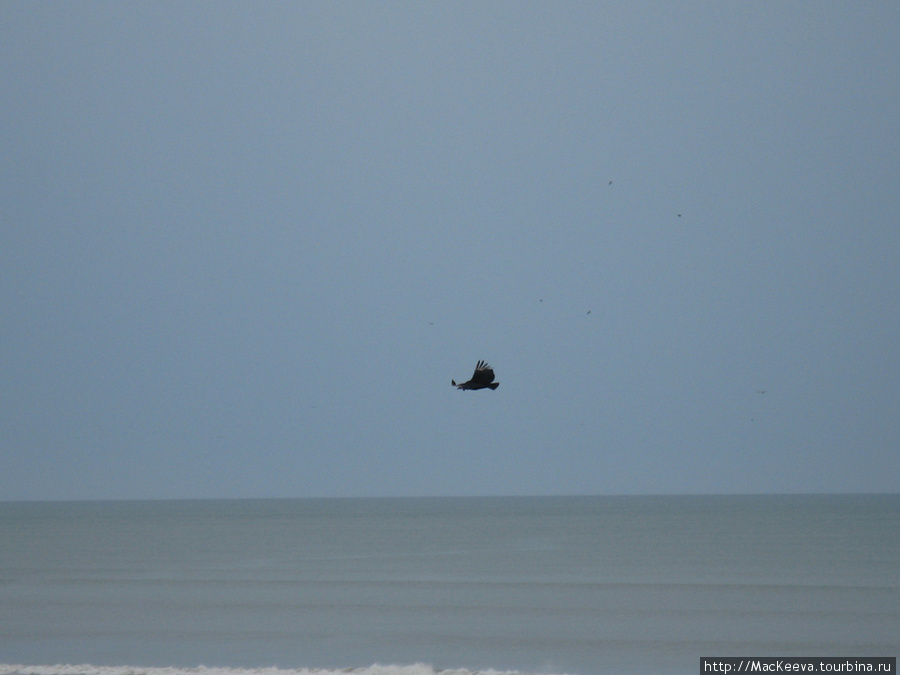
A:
418, 586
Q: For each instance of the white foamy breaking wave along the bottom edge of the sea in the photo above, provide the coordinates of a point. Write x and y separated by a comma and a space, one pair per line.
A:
376, 669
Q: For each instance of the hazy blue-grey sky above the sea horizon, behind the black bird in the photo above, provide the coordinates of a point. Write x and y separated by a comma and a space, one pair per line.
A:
246, 246
